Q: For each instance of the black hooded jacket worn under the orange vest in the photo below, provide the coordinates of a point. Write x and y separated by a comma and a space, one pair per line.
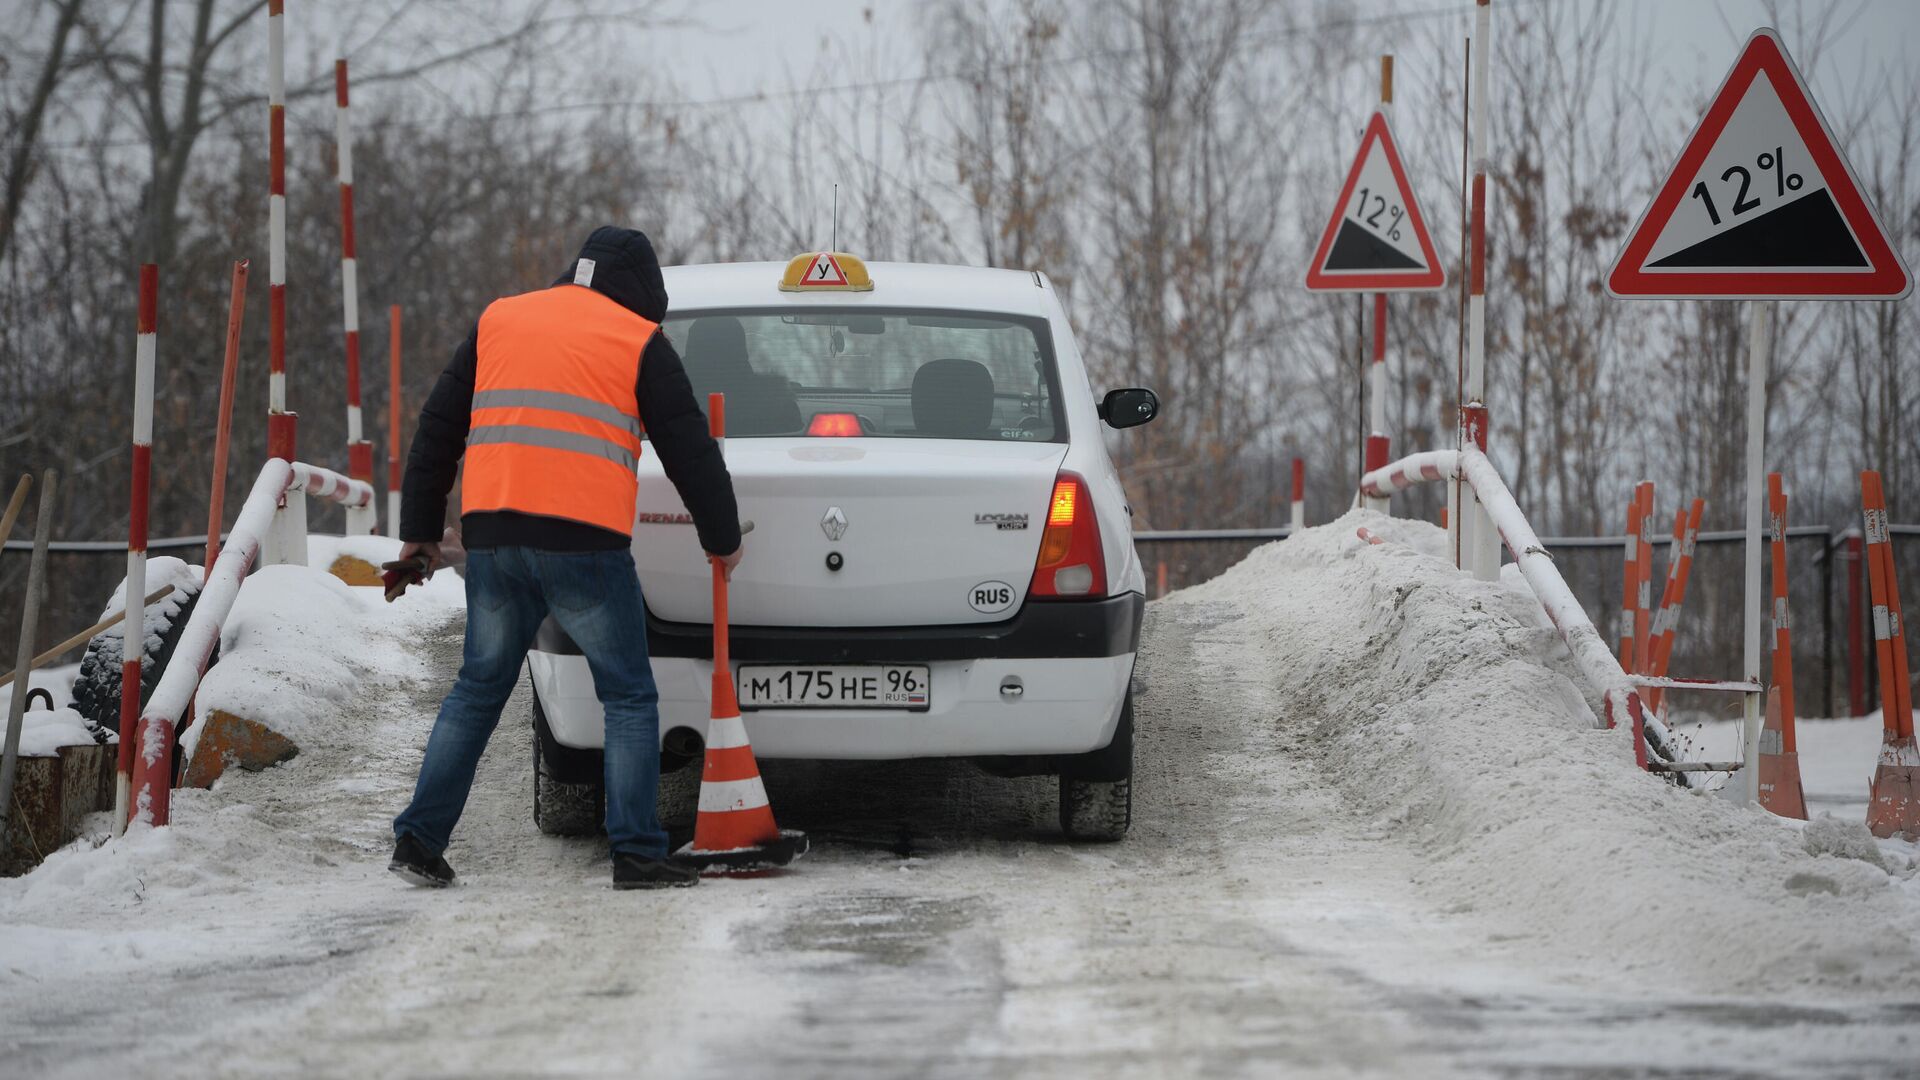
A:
627, 272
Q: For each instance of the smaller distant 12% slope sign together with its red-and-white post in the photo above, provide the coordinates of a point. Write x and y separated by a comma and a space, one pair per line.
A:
1378, 243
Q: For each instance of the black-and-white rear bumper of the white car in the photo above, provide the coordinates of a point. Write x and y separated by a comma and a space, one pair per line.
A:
1072, 664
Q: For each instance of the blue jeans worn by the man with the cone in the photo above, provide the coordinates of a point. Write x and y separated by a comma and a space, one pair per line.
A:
596, 599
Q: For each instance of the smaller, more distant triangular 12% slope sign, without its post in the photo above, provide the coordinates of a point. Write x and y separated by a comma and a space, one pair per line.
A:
1378, 239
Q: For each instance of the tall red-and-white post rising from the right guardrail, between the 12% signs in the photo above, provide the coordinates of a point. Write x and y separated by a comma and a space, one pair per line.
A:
1479, 541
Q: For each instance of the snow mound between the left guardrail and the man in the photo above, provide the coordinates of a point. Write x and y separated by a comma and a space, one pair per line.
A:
300, 643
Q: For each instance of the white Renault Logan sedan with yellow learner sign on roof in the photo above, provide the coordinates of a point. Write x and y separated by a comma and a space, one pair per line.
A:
942, 562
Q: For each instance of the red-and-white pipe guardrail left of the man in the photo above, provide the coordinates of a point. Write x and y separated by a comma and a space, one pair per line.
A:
153, 768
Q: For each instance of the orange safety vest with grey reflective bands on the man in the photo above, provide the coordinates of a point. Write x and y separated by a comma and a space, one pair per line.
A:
556, 424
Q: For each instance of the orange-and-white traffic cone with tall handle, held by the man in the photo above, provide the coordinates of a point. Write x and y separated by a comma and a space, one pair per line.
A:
734, 831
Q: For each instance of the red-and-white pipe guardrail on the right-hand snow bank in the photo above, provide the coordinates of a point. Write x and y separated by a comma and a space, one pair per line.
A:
1591, 654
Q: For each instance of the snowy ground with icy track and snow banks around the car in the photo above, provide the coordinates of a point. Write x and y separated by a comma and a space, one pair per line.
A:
1374, 837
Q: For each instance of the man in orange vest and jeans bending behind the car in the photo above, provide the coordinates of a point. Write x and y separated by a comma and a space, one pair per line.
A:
548, 401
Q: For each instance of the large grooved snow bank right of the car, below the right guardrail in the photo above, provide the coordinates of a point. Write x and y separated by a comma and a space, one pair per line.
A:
1449, 712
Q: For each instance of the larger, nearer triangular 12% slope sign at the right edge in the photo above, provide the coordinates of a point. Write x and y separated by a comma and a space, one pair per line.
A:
1762, 205
